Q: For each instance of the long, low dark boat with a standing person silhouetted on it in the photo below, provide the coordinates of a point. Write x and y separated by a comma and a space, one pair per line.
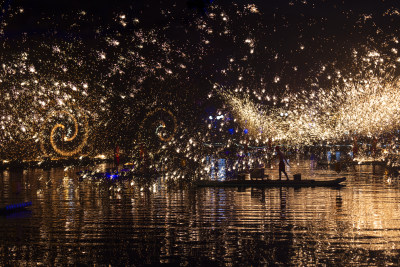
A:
270, 183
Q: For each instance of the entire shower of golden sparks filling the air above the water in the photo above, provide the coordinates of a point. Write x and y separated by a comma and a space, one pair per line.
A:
79, 83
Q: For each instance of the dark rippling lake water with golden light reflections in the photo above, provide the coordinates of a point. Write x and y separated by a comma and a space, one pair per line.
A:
72, 222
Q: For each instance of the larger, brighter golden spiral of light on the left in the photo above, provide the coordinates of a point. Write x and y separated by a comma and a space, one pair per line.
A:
64, 115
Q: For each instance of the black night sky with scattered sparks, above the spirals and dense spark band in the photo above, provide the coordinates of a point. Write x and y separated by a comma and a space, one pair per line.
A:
127, 58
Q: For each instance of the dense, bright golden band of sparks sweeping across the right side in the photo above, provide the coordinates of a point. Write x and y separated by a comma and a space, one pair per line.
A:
369, 107
